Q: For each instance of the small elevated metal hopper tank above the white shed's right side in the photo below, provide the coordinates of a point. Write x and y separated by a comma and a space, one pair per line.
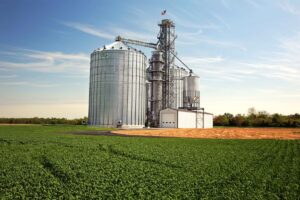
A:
191, 92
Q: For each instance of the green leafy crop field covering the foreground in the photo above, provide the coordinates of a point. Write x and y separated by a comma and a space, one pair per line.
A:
41, 162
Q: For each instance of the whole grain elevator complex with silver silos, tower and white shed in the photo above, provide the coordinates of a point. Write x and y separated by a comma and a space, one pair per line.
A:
123, 93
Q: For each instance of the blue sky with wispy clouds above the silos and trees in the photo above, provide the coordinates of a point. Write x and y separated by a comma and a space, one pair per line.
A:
246, 52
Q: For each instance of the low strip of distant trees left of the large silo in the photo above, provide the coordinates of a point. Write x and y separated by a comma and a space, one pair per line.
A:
38, 120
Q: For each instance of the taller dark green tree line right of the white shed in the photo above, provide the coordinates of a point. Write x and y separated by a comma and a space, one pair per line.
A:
257, 119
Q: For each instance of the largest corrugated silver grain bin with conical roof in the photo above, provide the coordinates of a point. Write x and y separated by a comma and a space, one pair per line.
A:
117, 95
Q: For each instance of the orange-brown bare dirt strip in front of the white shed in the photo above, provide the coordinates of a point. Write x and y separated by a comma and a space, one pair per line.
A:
222, 133
